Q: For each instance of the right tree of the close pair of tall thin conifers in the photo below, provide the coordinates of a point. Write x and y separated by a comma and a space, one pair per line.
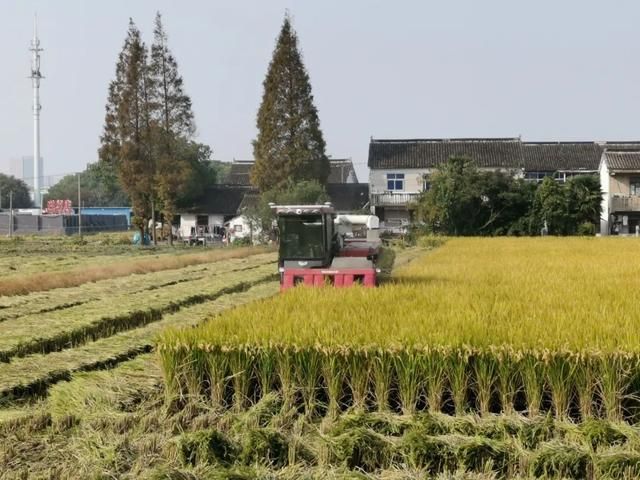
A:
173, 117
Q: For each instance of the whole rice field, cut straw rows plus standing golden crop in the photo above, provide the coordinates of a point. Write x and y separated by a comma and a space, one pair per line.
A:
200, 372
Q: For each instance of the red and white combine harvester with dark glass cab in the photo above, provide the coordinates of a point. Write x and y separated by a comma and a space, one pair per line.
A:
318, 247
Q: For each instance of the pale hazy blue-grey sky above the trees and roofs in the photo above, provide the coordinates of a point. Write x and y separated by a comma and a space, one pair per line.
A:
546, 70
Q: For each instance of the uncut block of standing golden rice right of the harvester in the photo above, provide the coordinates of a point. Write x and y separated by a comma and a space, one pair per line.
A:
483, 324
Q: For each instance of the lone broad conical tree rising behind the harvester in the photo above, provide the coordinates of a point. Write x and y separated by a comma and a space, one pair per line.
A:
290, 146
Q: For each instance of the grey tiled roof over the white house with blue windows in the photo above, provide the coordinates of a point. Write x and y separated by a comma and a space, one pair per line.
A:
429, 153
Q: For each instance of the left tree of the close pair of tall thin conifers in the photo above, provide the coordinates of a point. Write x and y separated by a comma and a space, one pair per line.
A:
127, 138
